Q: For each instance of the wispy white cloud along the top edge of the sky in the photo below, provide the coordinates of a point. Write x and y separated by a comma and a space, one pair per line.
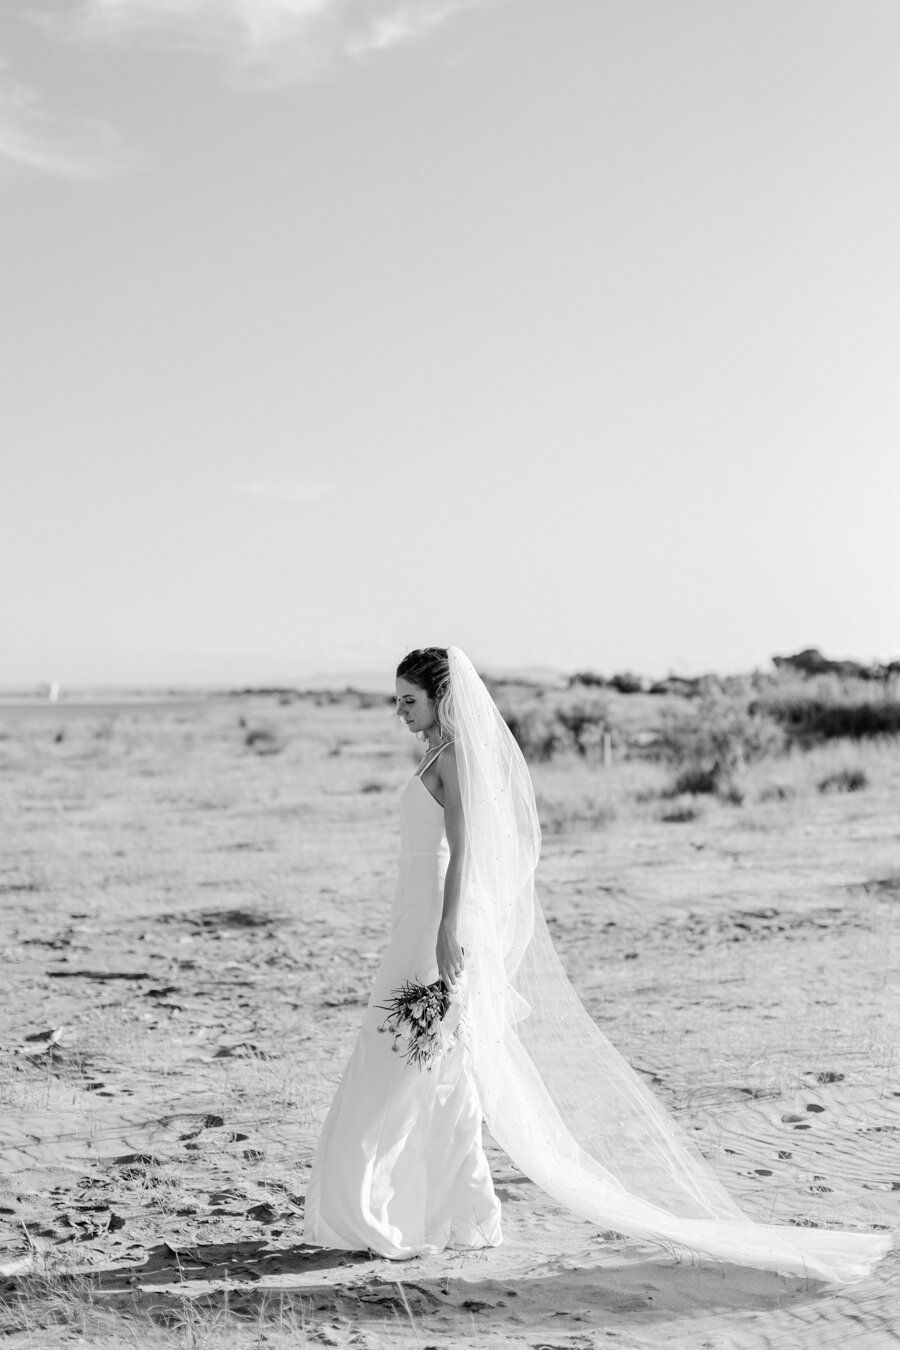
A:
269, 41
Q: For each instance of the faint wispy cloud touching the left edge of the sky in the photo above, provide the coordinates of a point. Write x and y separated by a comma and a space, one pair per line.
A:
33, 138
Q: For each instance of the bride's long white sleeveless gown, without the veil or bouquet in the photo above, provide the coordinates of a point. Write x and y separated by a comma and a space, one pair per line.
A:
400, 1167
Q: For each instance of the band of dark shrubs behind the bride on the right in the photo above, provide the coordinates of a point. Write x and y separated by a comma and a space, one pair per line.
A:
709, 730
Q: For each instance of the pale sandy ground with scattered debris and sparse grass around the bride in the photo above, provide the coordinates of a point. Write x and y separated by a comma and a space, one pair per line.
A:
190, 931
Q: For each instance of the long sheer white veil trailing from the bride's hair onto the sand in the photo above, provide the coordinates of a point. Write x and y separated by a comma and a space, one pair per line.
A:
557, 1096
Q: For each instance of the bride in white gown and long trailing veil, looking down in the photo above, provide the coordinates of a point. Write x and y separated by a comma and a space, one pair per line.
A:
400, 1167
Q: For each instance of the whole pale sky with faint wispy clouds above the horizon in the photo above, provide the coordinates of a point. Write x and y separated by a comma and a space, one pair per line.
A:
563, 330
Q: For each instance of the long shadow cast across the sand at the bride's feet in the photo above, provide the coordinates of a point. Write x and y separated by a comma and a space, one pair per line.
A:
254, 1280
